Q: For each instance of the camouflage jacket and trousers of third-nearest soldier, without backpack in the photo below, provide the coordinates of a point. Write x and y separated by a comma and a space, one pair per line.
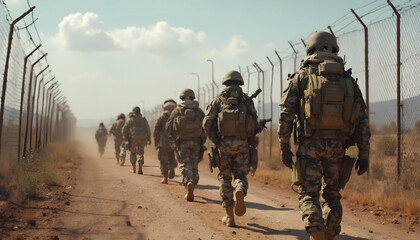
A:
189, 151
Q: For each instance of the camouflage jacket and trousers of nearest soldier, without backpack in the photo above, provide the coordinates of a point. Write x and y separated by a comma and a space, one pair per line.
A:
322, 156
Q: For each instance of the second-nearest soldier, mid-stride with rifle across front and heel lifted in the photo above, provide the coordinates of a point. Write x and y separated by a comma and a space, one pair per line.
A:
231, 122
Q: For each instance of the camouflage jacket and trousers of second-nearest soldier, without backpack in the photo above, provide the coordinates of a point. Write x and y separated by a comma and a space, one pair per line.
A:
234, 152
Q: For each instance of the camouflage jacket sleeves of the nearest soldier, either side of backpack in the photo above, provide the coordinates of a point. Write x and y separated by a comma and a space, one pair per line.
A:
290, 102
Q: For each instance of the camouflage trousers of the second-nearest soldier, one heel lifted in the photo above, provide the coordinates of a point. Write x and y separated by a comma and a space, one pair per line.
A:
234, 159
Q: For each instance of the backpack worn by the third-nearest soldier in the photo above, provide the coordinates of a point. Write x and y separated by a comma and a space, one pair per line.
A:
188, 124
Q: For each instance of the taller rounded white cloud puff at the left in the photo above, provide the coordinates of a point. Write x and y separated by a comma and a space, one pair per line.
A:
79, 32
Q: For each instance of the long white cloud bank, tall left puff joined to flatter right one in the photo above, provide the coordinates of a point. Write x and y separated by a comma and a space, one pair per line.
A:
84, 32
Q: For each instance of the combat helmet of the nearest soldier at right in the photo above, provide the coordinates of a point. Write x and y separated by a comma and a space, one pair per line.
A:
321, 39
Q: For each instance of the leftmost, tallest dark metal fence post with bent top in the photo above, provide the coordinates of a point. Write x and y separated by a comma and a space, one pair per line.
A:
6, 68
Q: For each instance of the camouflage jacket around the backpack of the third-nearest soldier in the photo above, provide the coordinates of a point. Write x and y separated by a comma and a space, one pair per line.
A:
172, 134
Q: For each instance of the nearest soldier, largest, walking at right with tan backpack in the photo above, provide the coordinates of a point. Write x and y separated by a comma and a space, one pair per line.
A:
327, 106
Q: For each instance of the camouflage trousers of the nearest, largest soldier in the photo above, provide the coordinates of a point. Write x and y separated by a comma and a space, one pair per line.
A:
322, 159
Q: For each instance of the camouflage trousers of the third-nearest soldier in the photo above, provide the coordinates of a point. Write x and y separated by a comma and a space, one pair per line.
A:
188, 154
